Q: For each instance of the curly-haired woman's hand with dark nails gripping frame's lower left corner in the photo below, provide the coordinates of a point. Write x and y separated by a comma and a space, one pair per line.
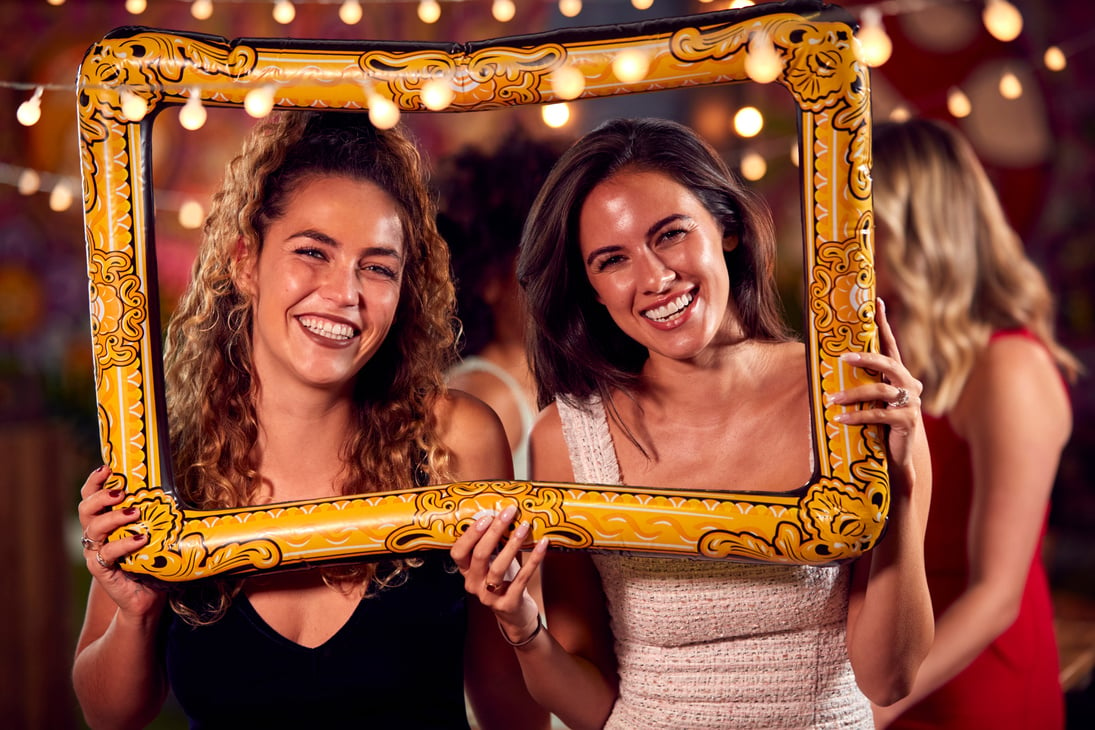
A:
99, 519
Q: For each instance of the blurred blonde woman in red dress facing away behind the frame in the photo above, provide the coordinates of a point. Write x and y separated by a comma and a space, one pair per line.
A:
976, 323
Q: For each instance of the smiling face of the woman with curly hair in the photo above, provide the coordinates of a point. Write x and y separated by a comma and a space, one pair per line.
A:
327, 284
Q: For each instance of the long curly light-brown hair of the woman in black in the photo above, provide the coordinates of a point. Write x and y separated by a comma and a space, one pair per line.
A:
394, 441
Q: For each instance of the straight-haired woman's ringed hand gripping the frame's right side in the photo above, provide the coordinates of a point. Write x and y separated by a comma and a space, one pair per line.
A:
897, 395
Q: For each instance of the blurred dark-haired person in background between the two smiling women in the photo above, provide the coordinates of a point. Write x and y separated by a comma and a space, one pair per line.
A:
485, 199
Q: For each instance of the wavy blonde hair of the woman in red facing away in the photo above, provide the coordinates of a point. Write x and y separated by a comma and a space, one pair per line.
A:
956, 266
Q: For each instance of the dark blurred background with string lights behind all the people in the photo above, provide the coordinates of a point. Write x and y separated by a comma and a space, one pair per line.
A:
1039, 148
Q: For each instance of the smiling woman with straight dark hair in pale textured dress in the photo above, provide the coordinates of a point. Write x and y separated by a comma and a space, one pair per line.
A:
663, 360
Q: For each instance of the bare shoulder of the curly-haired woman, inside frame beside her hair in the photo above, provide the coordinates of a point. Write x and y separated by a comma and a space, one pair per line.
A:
474, 433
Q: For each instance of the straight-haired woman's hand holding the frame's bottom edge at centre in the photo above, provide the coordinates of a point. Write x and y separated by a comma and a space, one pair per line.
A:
495, 576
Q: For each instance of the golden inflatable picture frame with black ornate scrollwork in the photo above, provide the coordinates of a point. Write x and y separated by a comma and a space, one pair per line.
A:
837, 517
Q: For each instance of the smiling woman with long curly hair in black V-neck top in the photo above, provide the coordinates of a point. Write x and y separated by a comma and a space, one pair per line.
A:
306, 361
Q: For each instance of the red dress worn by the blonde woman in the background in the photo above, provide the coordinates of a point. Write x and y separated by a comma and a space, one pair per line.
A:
1015, 683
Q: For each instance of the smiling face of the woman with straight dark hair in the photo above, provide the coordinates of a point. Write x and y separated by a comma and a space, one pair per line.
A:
655, 258
